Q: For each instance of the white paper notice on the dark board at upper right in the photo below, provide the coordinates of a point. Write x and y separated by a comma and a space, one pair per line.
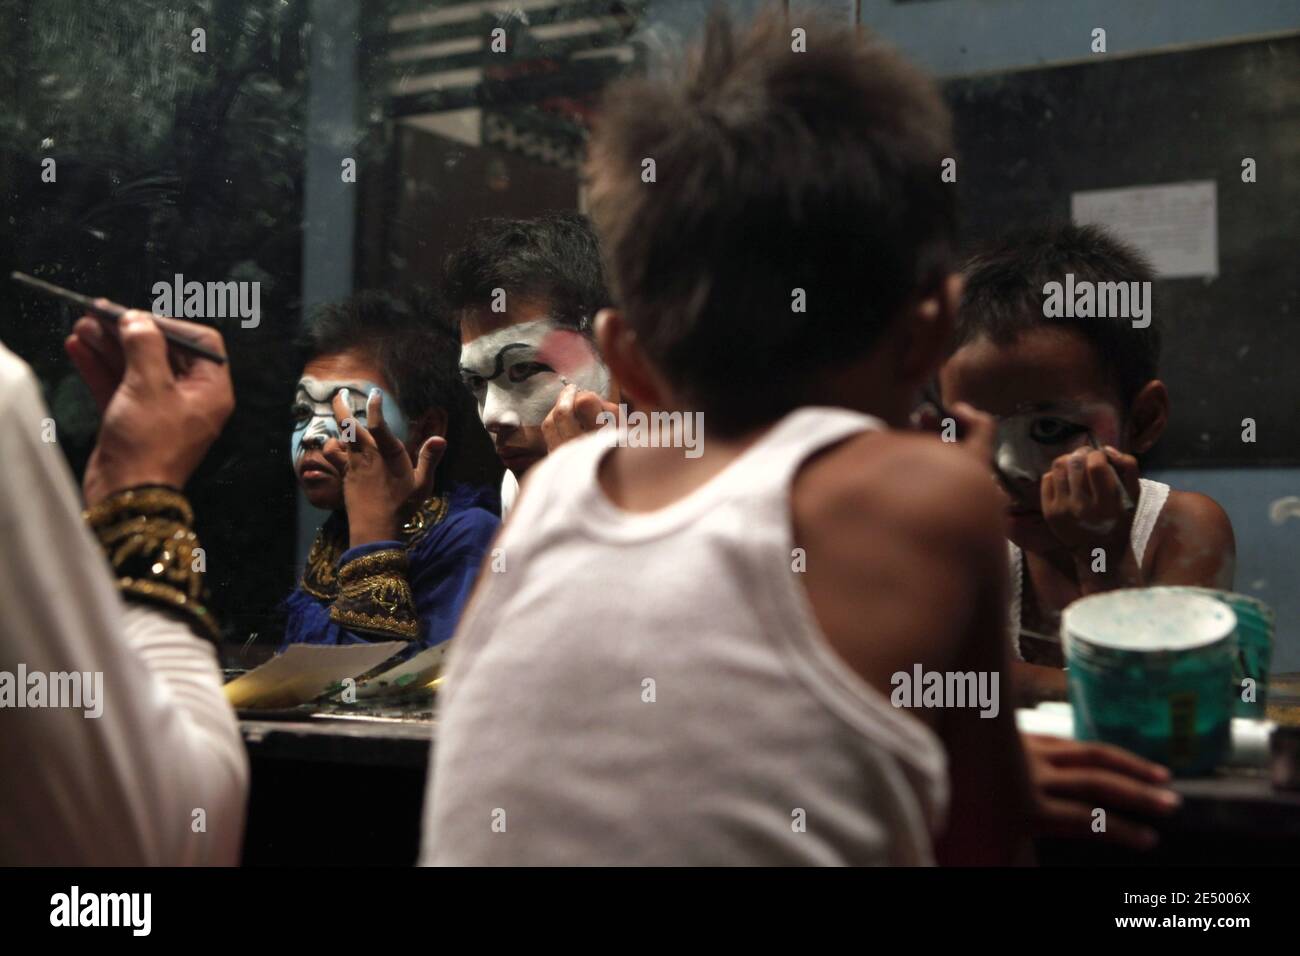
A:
1176, 226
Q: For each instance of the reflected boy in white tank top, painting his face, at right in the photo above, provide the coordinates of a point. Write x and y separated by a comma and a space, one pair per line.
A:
1077, 400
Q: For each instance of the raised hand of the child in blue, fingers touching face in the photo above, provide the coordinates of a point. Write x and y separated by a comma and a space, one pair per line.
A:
382, 488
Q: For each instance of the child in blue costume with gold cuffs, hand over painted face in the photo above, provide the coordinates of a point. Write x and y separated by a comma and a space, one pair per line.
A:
376, 414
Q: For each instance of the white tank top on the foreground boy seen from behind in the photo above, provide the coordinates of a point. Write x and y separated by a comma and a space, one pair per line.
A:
653, 689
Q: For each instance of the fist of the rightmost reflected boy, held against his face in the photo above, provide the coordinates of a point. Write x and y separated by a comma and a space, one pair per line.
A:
1087, 501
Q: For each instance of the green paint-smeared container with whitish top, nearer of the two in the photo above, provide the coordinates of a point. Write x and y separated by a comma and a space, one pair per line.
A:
1151, 671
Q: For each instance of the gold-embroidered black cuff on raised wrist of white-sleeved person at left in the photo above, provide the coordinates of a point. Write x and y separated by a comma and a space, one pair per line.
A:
149, 538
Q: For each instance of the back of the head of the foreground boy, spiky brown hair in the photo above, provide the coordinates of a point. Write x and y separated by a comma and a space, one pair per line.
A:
796, 206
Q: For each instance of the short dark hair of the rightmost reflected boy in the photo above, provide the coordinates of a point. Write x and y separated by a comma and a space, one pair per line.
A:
1004, 297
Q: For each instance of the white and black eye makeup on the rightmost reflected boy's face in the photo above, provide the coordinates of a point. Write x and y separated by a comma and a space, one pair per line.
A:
1030, 442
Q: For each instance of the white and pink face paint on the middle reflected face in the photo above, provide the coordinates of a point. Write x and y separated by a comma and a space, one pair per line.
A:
518, 373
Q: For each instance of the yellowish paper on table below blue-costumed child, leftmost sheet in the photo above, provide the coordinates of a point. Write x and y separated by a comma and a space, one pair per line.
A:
305, 672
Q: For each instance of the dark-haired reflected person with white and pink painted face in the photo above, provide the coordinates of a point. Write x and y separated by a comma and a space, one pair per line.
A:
525, 293
